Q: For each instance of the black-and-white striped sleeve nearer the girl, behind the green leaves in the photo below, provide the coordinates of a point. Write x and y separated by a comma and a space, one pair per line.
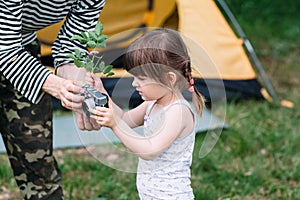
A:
82, 17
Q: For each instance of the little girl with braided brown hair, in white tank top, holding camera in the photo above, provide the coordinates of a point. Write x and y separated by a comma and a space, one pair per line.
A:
160, 65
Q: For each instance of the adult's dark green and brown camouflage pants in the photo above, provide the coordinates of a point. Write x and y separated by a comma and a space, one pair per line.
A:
26, 130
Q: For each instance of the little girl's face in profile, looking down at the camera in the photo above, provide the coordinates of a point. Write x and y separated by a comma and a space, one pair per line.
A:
149, 89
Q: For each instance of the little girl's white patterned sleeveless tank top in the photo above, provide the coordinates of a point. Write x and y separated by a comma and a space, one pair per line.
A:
168, 175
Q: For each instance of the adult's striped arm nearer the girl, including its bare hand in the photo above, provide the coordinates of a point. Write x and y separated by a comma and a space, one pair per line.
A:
81, 18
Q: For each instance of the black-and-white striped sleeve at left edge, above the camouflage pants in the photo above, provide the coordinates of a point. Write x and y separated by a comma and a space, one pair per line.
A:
24, 72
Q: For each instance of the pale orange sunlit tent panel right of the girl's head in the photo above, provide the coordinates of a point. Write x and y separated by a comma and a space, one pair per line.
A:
202, 22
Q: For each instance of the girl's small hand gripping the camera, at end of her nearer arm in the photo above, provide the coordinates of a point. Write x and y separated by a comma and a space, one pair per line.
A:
104, 116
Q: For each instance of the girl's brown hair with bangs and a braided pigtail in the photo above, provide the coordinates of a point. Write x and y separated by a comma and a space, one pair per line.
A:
157, 52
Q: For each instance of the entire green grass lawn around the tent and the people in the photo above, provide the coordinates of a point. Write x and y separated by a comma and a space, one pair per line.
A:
258, 157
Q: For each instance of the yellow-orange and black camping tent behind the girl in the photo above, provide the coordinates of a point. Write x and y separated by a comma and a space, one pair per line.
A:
217, 54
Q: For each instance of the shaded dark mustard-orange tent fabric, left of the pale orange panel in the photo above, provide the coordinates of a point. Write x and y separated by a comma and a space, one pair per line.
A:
119, 17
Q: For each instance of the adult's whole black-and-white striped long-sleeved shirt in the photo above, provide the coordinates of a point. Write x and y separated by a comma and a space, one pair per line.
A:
20, 19
